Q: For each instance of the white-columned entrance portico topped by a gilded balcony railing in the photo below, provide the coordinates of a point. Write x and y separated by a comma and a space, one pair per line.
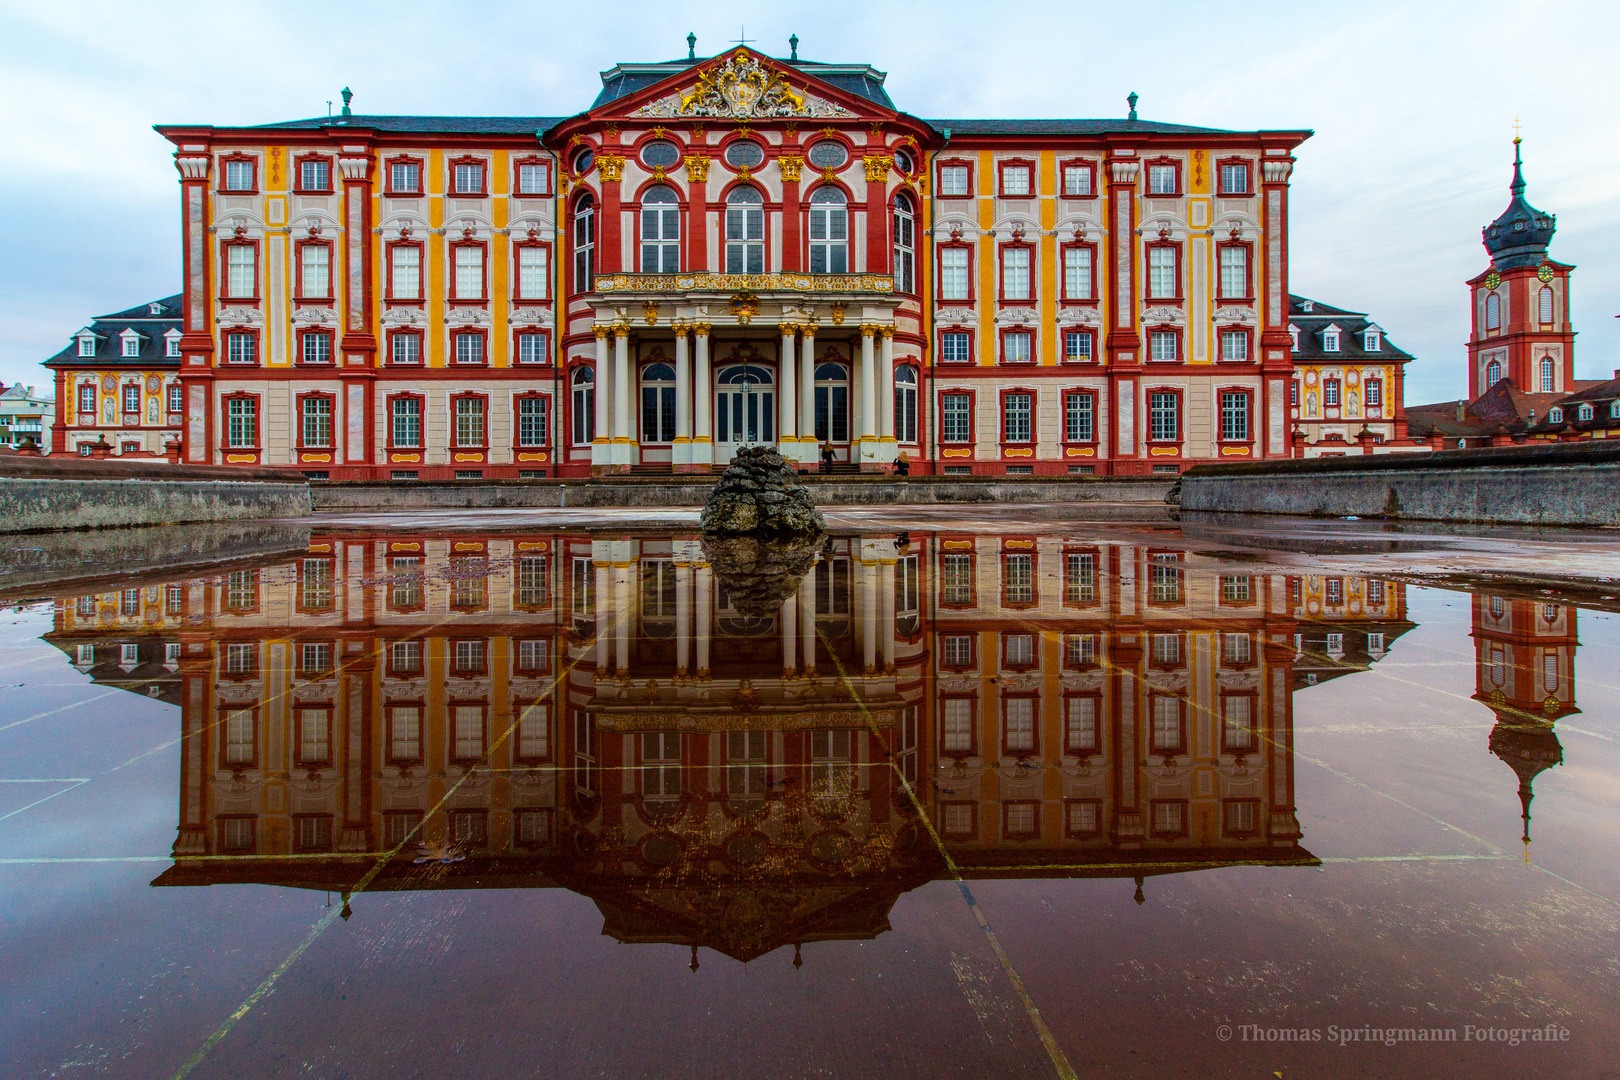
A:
694, 367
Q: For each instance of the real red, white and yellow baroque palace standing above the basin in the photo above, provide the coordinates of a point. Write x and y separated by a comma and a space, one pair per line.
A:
731, 252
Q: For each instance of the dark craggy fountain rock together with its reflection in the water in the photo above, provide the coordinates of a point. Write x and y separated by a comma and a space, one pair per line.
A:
761, 532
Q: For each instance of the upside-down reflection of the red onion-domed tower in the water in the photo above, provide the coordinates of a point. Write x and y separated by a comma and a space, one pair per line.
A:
1525, 671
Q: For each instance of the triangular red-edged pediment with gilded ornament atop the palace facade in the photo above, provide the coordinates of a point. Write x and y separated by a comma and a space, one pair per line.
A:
748, 88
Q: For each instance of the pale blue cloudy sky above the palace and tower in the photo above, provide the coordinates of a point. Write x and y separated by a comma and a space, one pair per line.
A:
1413, 109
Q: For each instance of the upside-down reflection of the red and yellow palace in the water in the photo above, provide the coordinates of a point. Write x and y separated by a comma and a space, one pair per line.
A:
595, 713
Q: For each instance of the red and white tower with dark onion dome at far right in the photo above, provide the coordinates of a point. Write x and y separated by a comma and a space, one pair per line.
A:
1522, 304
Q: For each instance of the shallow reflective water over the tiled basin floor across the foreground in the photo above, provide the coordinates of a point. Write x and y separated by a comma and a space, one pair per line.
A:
976, 799
